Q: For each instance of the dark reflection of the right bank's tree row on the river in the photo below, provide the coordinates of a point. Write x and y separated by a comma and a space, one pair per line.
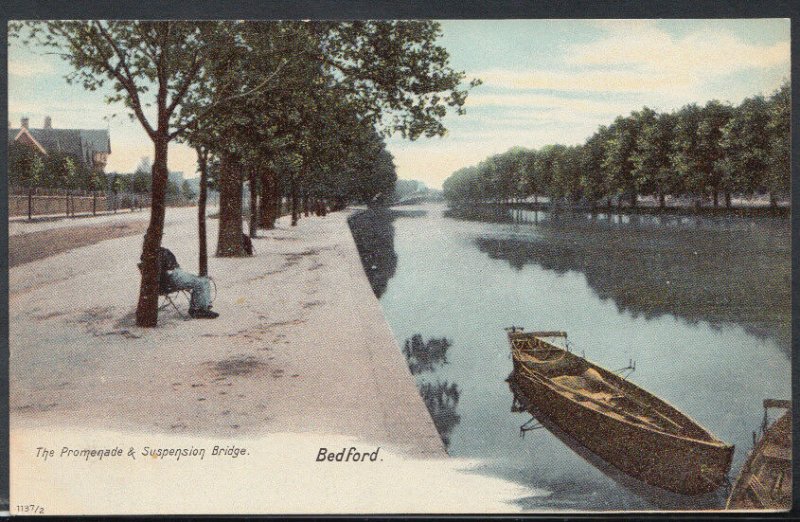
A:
697, 268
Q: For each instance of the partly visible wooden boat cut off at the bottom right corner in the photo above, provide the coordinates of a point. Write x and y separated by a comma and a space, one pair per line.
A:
765, 481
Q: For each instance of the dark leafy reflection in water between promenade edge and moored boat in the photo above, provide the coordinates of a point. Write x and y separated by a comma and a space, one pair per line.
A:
441, 398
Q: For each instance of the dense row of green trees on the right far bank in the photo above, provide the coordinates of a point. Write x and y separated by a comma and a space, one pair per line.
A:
700, 152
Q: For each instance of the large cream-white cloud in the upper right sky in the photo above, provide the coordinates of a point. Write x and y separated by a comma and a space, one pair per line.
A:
638, 57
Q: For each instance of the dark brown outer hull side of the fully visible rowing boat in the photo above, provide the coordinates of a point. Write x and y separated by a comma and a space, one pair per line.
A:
673, 463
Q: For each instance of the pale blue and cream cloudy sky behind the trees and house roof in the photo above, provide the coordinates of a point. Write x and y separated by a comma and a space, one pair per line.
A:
544, 82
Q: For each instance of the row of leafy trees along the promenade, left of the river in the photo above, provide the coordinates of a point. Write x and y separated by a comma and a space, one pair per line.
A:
292, 108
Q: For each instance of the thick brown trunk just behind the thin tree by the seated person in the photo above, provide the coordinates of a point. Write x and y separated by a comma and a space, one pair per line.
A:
229, 243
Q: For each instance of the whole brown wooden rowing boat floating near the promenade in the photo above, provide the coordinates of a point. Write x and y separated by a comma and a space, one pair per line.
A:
623, 424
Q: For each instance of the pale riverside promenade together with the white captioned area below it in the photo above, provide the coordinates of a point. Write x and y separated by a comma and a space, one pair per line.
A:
300, 359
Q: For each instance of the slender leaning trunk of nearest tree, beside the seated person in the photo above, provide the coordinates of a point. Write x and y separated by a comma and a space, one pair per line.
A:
147, 308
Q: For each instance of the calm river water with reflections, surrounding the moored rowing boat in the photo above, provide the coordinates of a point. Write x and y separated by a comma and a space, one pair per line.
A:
701, 305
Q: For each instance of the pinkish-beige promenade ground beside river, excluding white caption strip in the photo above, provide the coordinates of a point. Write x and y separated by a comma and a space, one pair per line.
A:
301, 344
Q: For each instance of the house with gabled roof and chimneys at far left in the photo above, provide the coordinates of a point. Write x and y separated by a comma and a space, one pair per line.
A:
89, 146
